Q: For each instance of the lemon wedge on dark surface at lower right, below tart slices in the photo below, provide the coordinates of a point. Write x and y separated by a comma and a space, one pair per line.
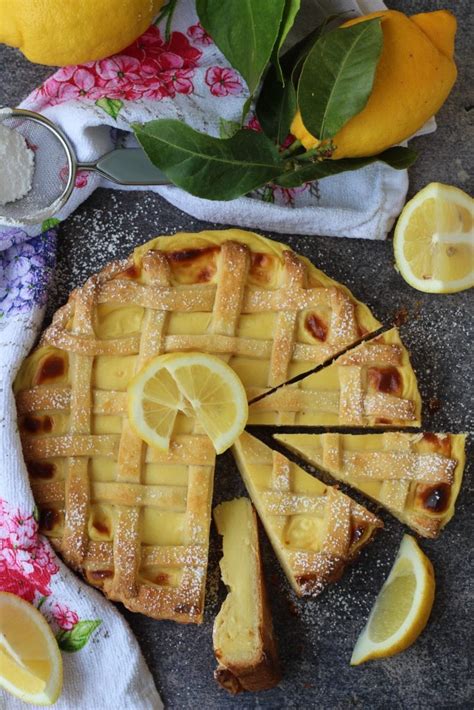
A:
402, 608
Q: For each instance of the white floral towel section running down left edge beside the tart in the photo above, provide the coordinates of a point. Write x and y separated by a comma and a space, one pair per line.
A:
103, 665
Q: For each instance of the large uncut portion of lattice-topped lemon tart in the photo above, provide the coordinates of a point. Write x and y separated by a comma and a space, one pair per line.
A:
133, 520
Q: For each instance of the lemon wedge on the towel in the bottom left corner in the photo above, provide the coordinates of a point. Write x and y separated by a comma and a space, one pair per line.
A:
30, 661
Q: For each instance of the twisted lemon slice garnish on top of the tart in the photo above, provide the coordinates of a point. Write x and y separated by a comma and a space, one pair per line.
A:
194, 383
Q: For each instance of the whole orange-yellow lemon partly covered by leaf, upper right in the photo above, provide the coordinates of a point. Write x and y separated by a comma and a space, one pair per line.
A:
414, 76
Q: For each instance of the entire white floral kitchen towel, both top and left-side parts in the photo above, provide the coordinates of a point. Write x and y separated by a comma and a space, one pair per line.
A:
187, 78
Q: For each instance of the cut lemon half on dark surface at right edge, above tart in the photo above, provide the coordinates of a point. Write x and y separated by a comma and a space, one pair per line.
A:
434, 240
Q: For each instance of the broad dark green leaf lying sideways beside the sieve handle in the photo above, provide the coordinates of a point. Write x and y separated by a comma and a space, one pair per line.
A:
209, 167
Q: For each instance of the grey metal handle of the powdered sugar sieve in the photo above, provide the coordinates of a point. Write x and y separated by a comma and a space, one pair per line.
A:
127, 166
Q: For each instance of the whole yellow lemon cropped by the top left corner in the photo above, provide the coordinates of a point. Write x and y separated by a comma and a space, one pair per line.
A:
60, 32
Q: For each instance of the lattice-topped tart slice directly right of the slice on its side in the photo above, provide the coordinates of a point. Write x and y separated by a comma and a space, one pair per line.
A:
315, 529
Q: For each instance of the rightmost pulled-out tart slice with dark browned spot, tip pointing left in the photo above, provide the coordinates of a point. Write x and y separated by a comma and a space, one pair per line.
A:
417, 477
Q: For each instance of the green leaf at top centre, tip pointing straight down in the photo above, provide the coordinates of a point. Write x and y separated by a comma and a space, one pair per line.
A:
245, 31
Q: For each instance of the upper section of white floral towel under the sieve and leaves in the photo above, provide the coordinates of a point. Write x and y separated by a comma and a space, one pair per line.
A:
189, 79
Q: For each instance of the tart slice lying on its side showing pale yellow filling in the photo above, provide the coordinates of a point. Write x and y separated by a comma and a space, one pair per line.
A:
243, 639
